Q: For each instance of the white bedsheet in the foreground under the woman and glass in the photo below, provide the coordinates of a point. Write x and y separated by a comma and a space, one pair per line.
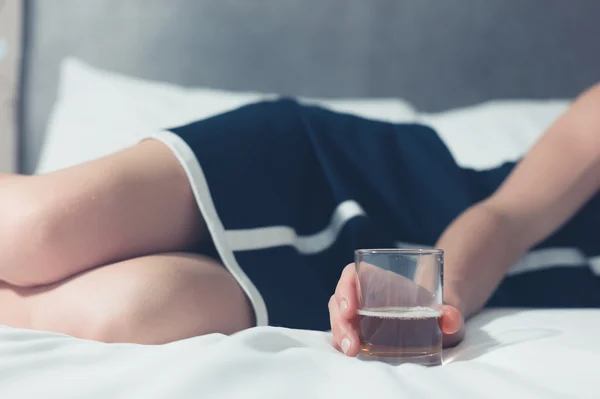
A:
507, 354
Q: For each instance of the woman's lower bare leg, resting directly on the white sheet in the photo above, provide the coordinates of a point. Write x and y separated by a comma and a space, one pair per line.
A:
149, 300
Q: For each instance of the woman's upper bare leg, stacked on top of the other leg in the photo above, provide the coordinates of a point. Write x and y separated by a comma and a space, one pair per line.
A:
130, 204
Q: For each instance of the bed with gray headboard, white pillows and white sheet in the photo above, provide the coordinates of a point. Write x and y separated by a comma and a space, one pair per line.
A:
81, 79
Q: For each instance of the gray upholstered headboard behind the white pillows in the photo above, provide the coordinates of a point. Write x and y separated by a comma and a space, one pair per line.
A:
437, 54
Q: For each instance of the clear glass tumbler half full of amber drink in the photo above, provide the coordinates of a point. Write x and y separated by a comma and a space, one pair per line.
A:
400, 294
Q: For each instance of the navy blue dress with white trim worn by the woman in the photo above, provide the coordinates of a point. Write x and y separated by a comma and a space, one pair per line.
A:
289, 191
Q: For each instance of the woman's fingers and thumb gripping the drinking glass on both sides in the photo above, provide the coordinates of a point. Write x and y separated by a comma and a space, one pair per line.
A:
343, 306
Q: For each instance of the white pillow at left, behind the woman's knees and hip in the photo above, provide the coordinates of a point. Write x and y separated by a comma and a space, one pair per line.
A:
99, 112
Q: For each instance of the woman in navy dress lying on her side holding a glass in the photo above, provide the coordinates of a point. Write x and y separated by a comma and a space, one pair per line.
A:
248, 218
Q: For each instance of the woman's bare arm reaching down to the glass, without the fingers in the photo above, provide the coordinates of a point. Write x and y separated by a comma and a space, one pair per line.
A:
555, 179
